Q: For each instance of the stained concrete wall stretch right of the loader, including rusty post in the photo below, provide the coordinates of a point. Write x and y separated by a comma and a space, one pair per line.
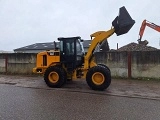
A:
131, 64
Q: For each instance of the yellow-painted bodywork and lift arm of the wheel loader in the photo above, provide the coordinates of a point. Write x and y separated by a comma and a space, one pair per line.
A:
53, 57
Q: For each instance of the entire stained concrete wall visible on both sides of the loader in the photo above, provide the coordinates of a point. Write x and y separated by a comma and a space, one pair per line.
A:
121, 64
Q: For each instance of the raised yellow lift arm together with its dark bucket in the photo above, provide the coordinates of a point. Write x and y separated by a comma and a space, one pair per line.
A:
120, 25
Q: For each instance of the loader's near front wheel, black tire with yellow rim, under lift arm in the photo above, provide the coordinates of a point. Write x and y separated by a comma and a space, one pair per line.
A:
98, 78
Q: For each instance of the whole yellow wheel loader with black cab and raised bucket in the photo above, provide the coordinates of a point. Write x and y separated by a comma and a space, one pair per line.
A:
69, 61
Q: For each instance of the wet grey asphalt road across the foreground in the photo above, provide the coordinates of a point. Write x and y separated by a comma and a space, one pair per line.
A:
21, 103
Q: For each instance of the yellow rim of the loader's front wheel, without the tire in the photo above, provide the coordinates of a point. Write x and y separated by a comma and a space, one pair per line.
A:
98, 78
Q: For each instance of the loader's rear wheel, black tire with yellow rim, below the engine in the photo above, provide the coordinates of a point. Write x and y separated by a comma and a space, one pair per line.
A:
55, 76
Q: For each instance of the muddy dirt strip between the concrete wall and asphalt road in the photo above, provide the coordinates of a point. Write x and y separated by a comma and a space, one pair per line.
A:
118, 87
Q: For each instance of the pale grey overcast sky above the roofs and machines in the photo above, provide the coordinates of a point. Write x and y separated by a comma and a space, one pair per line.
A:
25, 22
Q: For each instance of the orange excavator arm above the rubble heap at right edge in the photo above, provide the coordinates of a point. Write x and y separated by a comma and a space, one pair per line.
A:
143, 26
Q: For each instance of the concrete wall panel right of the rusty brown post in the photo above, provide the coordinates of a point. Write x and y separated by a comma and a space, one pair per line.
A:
146, 64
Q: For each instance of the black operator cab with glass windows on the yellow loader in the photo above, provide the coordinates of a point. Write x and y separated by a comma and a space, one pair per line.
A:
72, 52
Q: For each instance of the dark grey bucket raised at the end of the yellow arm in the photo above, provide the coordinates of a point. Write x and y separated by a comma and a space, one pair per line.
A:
122, 23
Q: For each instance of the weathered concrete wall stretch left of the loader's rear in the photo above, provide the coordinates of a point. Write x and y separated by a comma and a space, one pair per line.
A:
17, 63
